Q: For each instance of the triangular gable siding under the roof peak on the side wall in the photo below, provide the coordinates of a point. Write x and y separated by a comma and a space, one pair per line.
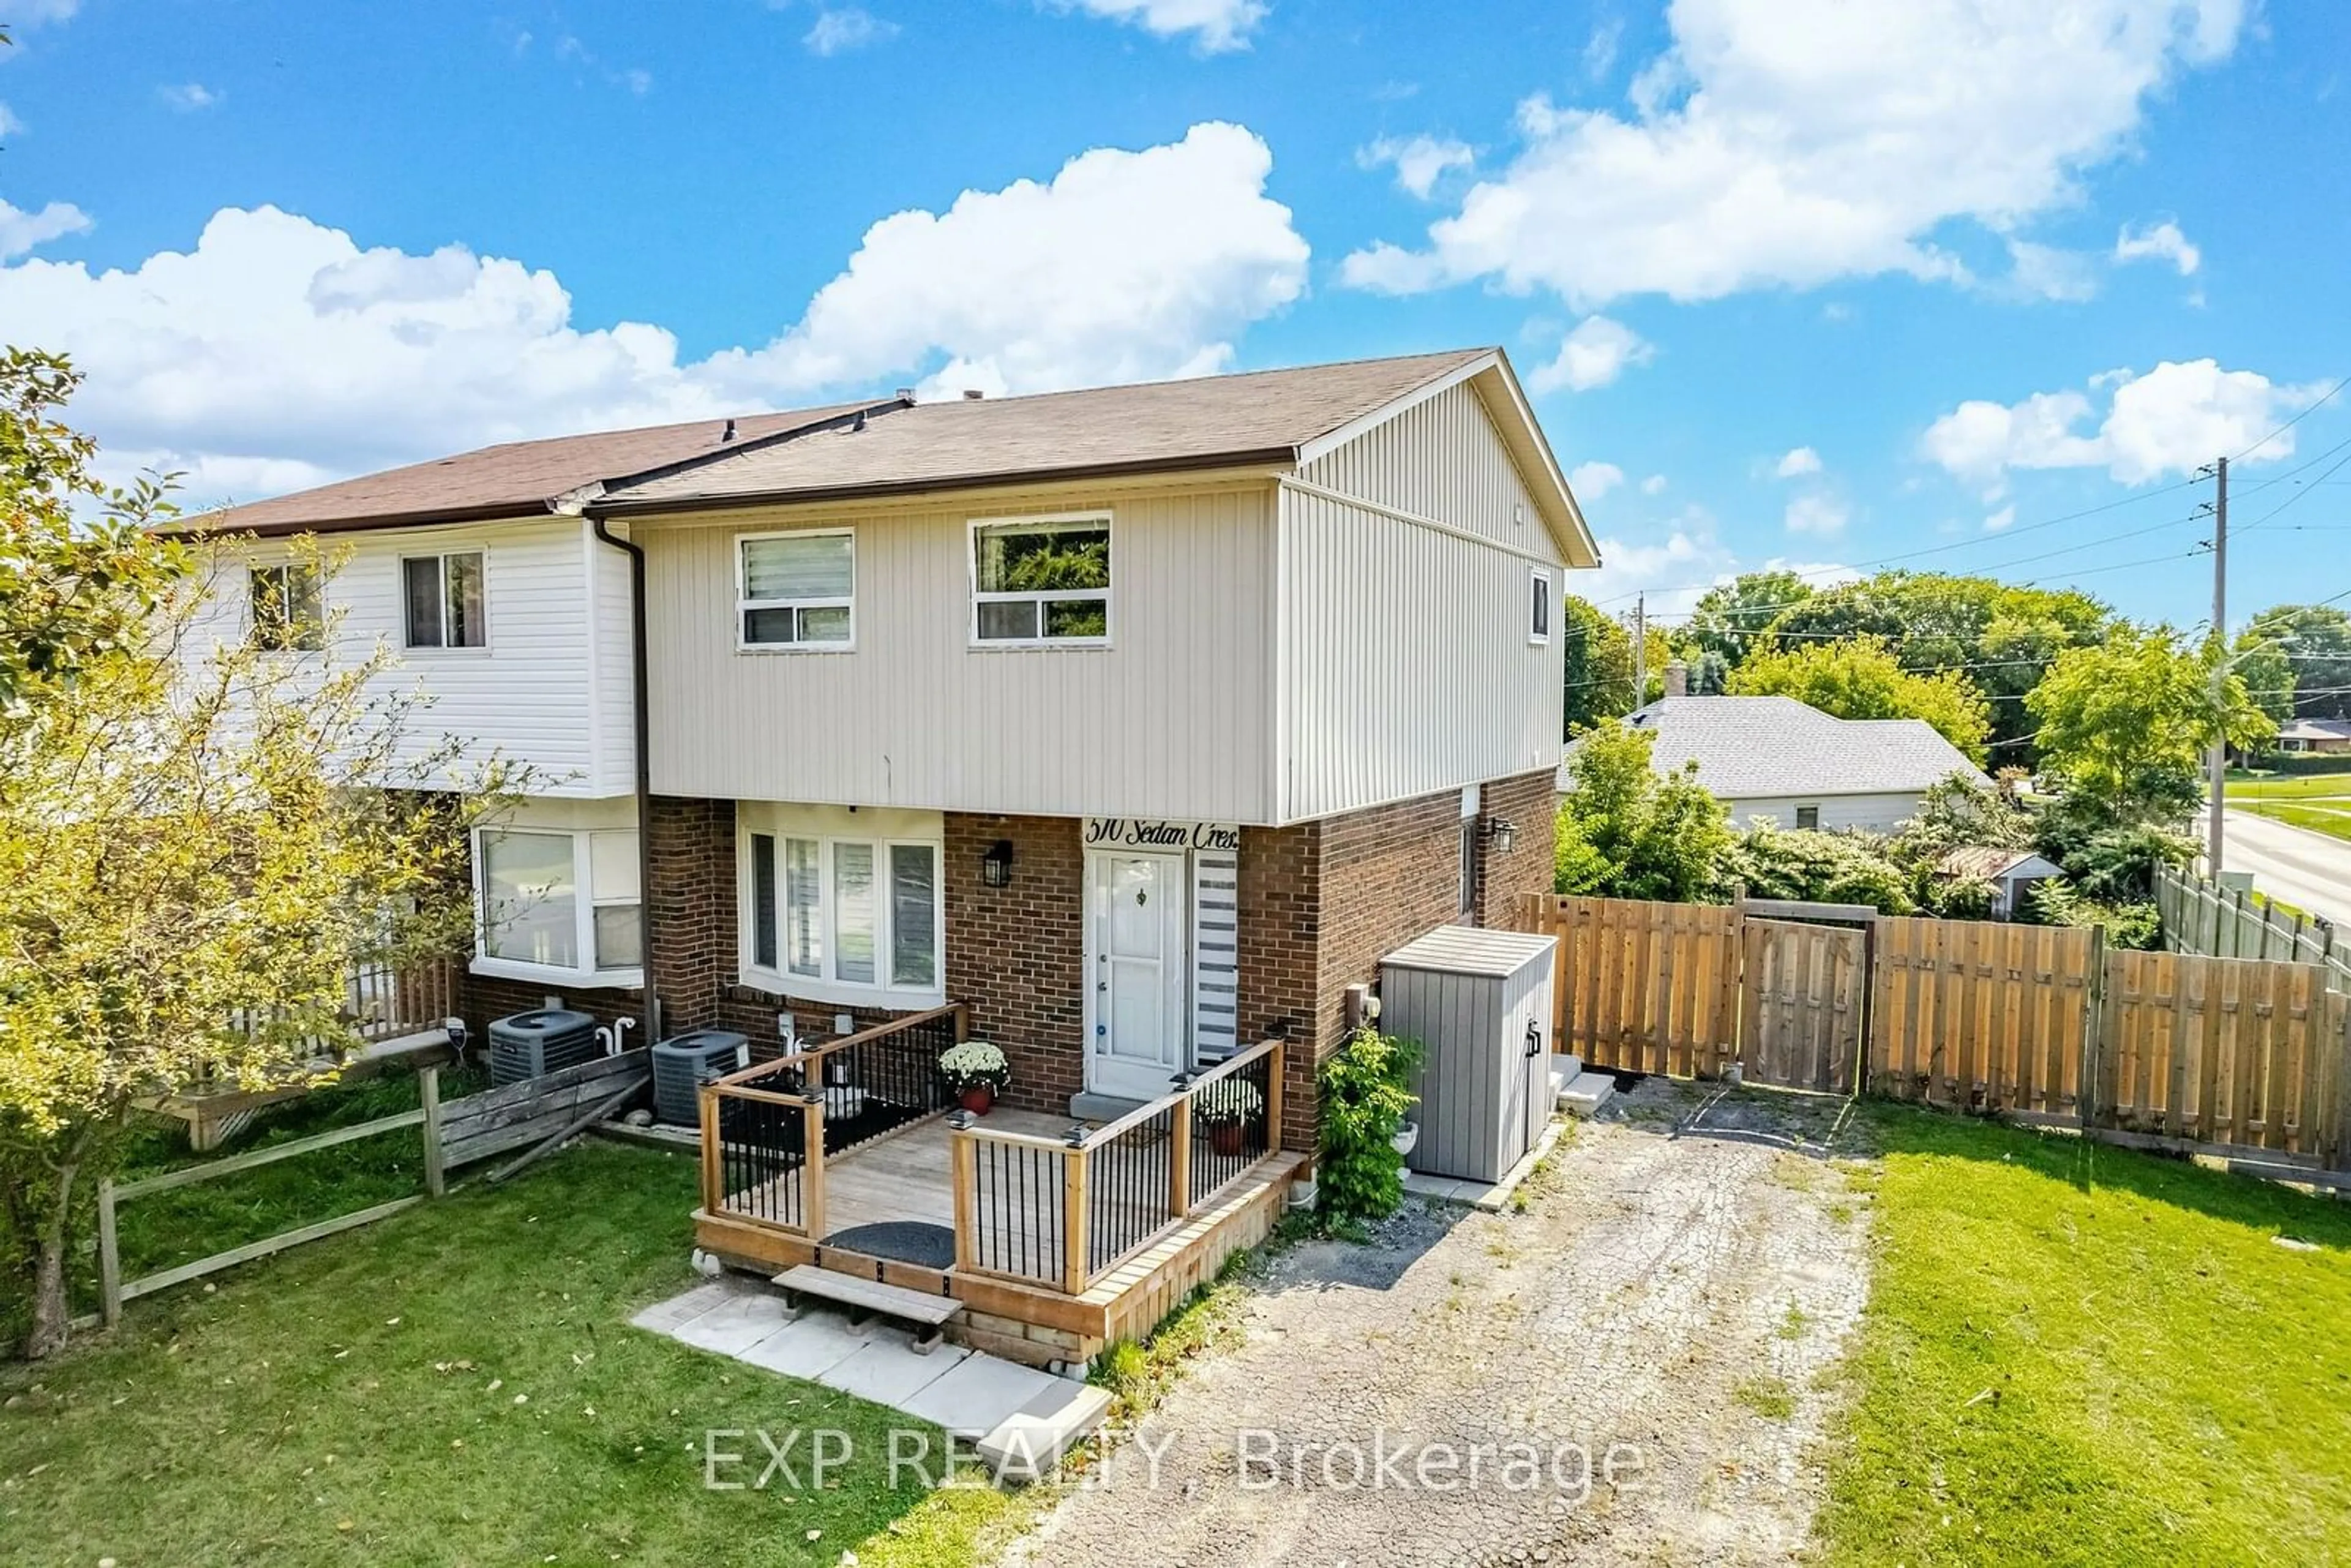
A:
1442, 460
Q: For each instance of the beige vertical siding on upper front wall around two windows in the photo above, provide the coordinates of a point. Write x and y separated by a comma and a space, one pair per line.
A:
1172, 721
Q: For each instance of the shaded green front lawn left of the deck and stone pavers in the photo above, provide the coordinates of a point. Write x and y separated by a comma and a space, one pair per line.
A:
453, 1386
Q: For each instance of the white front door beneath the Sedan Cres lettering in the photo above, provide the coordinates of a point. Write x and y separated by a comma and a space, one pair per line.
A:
1137, 967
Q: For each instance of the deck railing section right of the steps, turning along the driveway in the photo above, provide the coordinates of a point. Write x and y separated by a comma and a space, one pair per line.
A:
1064, 1212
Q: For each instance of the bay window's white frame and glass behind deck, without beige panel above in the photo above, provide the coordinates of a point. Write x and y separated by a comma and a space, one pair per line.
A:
845, 913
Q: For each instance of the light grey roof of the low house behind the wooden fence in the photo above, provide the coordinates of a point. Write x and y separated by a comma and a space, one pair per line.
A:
1774, 749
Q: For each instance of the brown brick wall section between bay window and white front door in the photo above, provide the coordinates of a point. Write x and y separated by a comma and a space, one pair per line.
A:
1019, 953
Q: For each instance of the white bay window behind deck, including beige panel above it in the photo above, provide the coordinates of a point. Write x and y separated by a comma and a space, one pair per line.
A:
843, 906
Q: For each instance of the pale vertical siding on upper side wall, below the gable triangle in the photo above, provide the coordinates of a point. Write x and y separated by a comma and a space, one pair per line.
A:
1409, 659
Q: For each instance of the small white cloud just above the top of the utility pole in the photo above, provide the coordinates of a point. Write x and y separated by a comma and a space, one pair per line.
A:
2169, 422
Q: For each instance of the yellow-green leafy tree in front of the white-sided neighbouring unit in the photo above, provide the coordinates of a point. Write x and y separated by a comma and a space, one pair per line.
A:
192, 833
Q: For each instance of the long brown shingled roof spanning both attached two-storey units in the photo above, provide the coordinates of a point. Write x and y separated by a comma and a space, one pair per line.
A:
1278, 417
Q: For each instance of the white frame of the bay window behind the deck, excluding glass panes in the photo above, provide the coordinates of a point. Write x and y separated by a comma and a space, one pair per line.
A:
784, 829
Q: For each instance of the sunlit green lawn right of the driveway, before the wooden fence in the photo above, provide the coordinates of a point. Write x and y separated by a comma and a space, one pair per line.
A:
2084, 1355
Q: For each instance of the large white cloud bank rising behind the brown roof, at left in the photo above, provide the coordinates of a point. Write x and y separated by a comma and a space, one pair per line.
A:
279, 351
